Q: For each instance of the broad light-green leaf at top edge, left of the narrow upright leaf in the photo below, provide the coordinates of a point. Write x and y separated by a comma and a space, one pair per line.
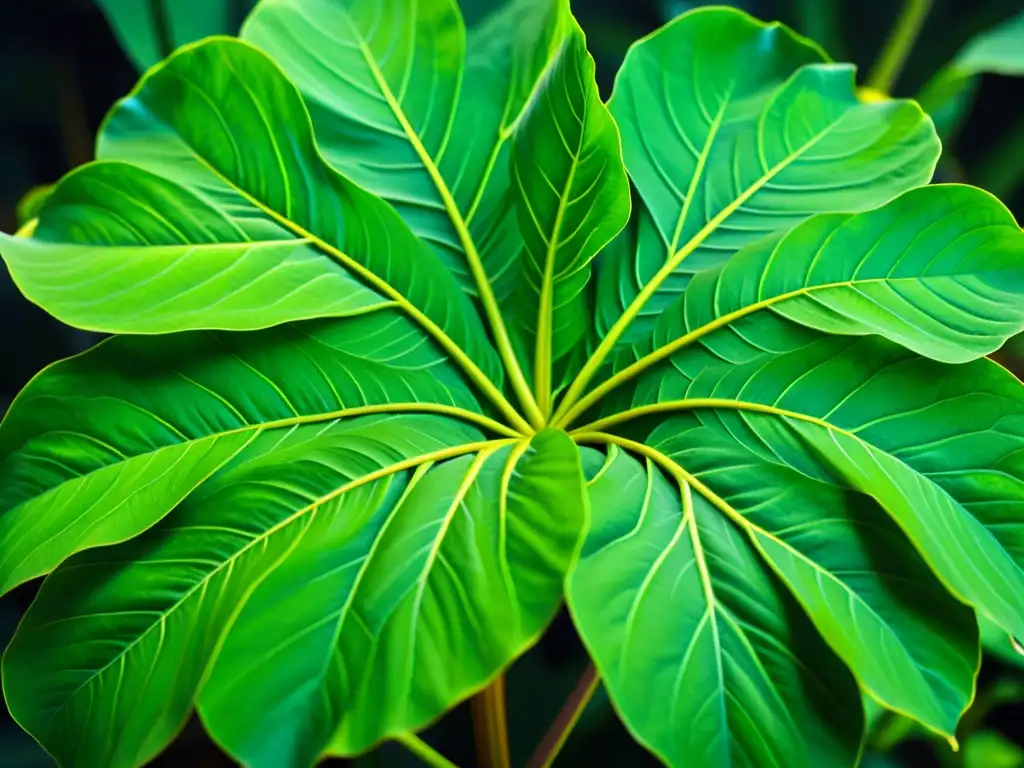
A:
414, 110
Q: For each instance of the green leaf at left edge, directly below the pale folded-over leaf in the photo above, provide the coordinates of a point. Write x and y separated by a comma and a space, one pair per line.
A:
99, 448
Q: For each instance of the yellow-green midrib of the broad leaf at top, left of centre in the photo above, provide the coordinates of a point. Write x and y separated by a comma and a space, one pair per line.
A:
481, 279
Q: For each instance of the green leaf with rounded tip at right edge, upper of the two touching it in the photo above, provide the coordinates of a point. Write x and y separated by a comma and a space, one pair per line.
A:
940, 271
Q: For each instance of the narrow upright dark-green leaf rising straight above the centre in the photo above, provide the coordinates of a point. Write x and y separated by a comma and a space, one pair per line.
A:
573, 199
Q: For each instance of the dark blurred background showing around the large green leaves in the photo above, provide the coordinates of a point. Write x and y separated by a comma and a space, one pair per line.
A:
62, 68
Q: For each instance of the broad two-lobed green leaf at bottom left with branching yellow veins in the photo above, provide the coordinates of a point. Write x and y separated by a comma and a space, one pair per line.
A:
423, 541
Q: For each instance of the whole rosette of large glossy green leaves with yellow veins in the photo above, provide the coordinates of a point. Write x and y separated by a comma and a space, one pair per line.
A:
418, 338
